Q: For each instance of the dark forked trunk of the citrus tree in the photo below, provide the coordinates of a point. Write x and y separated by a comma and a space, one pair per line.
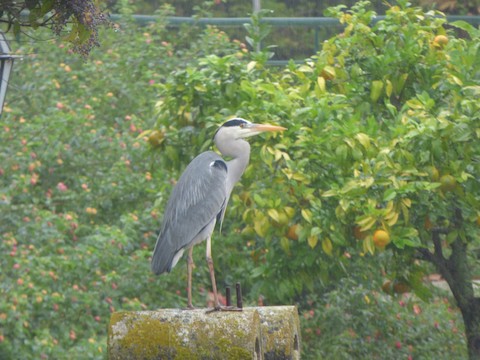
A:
457, 274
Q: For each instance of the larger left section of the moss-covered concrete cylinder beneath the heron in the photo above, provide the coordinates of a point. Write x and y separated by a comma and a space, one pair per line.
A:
185, 334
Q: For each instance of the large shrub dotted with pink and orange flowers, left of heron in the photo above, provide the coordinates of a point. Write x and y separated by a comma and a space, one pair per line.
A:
80, 190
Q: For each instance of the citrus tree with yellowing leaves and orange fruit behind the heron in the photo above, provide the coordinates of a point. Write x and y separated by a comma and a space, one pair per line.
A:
382, 154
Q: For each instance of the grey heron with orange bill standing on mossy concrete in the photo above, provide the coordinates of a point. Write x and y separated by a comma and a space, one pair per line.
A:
200, 197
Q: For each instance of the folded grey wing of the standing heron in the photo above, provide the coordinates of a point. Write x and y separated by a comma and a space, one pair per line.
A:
197, 199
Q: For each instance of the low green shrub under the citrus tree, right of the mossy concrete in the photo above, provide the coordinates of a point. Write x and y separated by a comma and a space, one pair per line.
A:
355, 321
